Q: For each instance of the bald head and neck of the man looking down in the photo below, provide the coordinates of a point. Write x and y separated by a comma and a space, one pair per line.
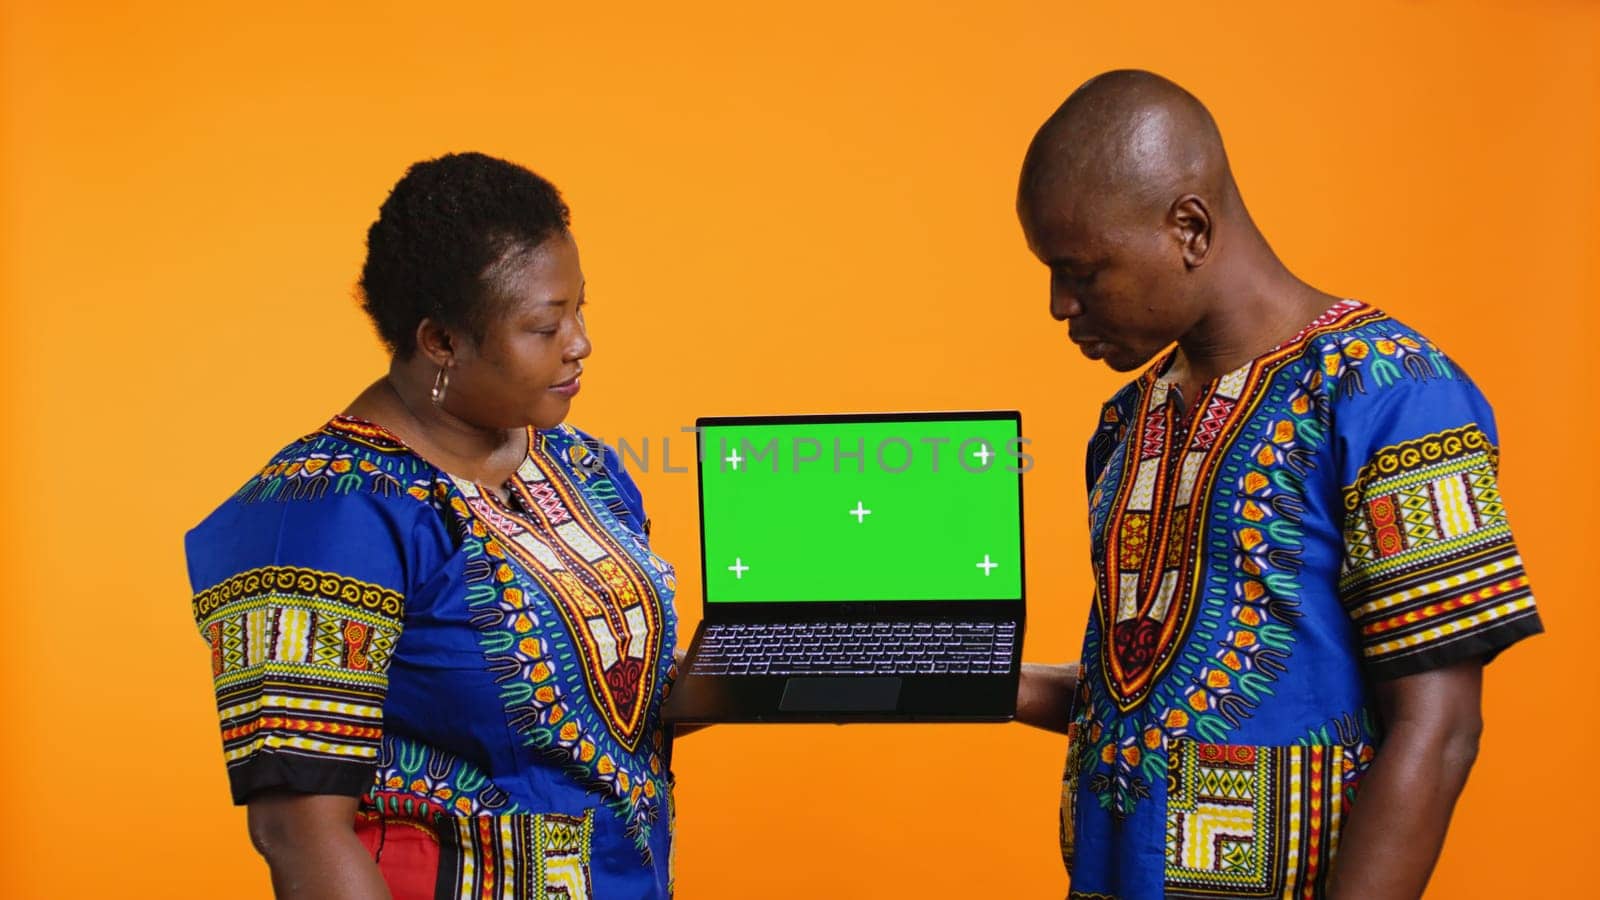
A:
1129, 199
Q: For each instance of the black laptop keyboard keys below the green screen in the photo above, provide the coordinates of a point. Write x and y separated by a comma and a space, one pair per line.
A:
857, 648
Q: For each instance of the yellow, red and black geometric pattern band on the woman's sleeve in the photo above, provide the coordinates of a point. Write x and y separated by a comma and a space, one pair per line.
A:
298, 661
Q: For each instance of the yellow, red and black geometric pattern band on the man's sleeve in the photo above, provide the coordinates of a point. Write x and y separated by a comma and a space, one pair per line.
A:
1433, 574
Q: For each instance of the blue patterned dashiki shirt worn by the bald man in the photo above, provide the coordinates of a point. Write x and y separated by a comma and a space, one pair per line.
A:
1326, 518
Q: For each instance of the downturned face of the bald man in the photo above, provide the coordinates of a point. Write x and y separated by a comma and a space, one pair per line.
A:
1116, 276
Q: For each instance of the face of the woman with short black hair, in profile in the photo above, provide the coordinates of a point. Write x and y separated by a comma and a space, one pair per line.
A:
527, 366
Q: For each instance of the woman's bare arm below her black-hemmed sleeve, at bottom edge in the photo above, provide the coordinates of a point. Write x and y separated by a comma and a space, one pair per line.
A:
311, 846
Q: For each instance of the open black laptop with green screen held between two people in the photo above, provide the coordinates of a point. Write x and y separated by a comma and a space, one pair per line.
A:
858, 569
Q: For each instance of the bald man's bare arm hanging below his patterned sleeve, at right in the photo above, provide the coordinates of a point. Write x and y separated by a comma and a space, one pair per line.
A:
1402, 810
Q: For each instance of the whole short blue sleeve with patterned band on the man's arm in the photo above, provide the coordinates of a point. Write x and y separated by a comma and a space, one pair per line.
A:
1431, 571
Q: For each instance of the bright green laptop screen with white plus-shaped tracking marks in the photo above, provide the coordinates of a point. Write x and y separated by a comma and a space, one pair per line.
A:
863, 512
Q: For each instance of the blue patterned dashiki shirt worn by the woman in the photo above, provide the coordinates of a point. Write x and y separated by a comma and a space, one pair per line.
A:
484, 675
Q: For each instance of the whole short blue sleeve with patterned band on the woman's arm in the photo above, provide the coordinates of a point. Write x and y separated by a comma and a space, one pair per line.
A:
302, 603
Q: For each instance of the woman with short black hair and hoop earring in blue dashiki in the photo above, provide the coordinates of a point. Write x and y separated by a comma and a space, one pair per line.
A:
439, 637
